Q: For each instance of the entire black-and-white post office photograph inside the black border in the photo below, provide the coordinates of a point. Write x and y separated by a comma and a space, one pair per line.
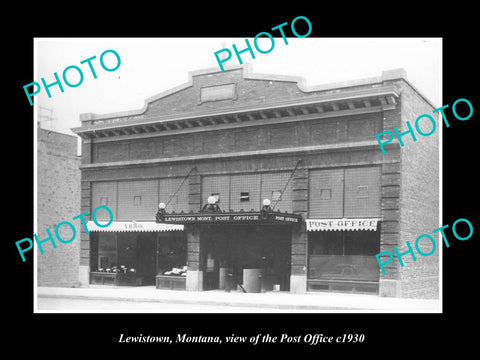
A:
274, 174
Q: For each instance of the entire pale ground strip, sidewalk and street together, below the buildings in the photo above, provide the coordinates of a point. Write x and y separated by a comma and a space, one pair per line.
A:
149, 299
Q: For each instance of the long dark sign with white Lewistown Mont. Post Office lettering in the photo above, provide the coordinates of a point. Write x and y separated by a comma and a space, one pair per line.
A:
233, 218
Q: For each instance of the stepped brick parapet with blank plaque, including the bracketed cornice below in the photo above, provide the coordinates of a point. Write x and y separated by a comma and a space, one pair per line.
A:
237, 97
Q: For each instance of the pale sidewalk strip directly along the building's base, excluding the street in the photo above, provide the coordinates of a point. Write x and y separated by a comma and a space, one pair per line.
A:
321, 301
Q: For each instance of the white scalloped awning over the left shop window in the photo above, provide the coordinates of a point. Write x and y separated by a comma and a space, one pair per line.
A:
132, 226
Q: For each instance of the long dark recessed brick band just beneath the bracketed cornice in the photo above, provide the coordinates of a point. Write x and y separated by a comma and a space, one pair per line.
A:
273, 136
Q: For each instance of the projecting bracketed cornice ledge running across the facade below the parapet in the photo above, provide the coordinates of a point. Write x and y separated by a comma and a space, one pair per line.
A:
378, 98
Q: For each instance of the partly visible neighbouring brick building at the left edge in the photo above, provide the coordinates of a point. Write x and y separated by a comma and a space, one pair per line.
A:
58, 199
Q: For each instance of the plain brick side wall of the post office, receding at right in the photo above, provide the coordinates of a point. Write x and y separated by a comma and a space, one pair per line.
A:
419, 198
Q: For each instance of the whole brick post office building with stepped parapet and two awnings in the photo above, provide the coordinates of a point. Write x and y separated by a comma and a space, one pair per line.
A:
261, 177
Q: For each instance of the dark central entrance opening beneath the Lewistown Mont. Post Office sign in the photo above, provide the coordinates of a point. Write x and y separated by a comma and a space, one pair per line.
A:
229, 250
